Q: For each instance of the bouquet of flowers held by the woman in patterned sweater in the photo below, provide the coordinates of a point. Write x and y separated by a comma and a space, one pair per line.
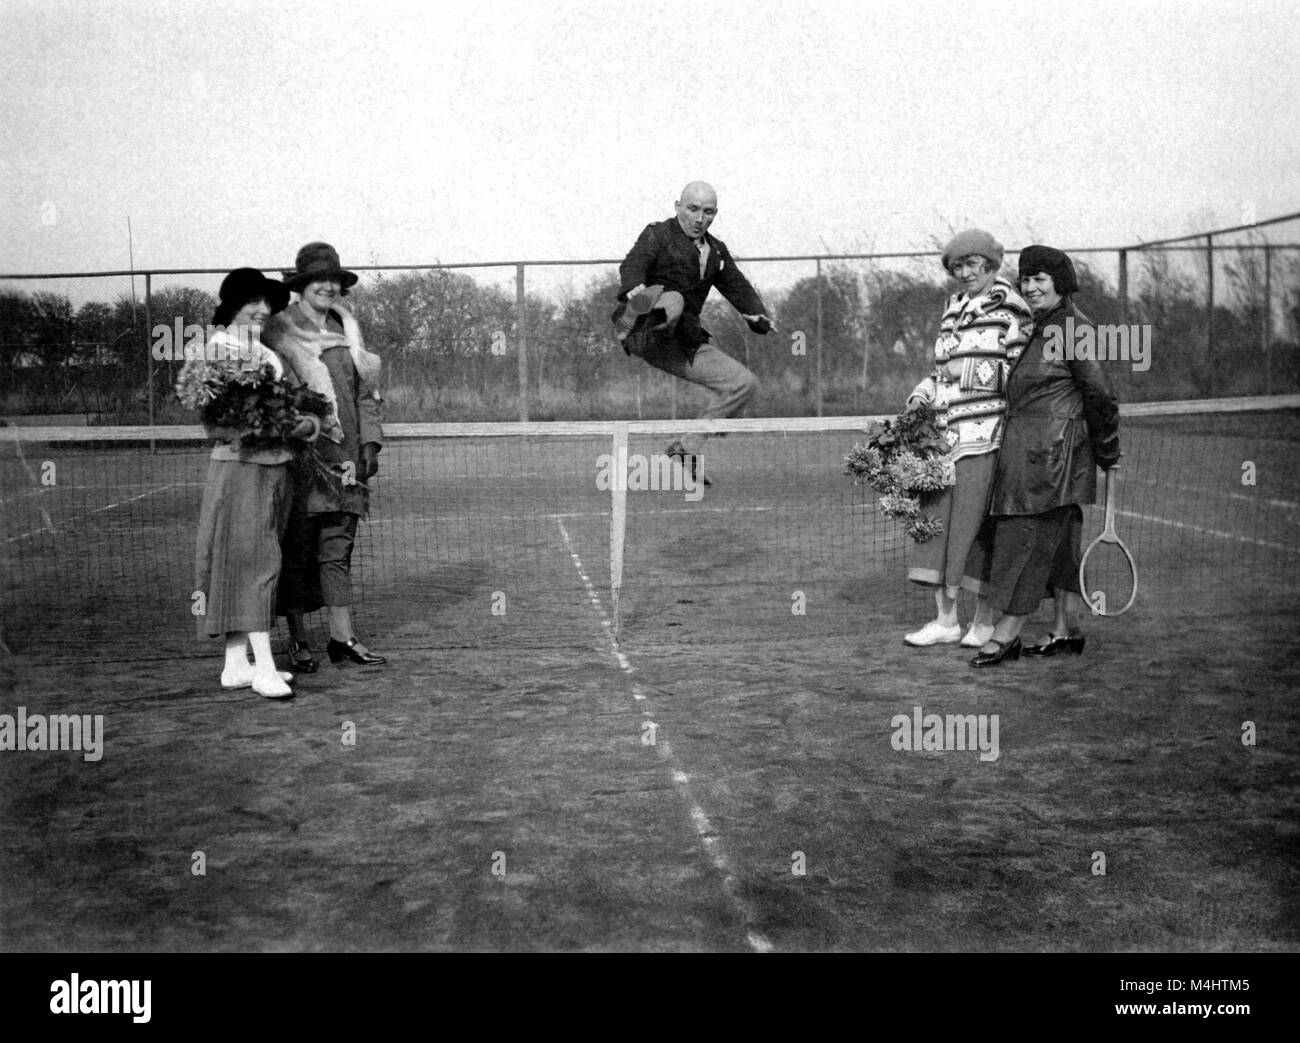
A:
903, 460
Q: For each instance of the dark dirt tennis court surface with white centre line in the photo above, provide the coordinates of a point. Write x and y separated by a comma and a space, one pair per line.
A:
504, 793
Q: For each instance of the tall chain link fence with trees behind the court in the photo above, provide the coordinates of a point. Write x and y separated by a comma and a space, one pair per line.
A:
1211, 315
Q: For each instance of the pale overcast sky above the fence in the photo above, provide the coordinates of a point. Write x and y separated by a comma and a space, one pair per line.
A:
231, 133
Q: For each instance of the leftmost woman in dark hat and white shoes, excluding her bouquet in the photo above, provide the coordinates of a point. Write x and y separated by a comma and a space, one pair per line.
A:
246, 497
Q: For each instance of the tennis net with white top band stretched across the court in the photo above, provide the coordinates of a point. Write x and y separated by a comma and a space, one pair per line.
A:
565, 535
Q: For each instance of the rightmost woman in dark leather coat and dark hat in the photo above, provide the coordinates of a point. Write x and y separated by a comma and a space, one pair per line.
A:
1063, 423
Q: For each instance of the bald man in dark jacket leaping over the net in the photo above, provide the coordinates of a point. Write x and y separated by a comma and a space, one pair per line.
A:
664, 284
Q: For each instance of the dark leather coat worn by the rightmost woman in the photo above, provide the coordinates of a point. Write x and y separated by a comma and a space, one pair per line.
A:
1063, 422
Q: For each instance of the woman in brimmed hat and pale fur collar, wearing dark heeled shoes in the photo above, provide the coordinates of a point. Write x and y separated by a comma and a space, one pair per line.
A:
322, 343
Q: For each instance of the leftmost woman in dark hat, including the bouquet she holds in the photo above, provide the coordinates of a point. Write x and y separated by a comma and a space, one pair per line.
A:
241, 395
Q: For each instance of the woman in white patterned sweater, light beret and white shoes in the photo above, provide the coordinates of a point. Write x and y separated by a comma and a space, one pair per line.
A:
985, 328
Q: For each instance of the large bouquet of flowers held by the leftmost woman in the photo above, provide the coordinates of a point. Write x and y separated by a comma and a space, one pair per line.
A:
259, 406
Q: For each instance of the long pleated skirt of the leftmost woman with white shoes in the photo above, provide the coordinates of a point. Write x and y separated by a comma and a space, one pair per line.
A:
237, 566
